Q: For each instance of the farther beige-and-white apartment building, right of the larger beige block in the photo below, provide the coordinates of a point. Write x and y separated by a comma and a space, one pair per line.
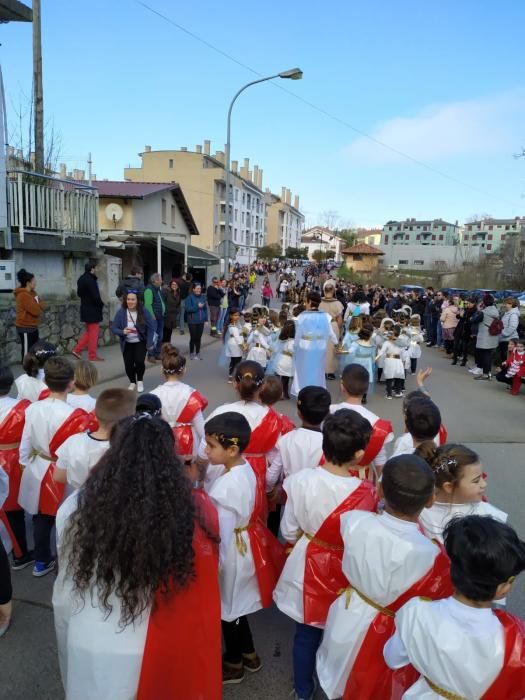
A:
284, 221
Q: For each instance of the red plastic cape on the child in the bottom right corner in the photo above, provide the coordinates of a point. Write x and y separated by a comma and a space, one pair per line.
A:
510, 684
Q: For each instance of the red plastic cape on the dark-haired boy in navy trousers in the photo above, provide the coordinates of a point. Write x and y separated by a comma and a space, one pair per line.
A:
323, 576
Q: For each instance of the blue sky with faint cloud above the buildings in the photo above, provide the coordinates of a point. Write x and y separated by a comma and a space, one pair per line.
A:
440, 81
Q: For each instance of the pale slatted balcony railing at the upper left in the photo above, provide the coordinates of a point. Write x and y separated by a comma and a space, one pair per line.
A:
47, 205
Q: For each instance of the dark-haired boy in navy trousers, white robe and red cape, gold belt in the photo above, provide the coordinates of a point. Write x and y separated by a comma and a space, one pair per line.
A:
312, 576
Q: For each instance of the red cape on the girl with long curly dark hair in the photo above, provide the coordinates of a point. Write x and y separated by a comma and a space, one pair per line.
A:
182, 653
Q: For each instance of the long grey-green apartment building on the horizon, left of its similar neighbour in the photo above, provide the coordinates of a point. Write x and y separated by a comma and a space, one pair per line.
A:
415, 232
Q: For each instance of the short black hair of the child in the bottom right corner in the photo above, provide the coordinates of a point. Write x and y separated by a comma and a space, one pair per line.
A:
483, 553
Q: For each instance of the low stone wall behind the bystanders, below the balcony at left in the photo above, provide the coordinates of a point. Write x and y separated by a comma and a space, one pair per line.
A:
60, 325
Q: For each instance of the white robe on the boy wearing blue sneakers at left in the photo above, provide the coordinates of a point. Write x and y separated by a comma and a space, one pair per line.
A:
43, 419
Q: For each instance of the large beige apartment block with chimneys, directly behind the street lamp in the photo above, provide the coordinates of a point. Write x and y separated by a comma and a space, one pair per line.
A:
202, 178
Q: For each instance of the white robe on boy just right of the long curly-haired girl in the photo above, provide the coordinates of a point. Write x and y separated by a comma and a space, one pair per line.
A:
234, 496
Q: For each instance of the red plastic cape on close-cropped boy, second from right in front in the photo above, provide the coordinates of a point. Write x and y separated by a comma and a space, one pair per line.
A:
370, 677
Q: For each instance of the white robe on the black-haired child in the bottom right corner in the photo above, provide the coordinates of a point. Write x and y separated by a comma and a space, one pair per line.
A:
461, 649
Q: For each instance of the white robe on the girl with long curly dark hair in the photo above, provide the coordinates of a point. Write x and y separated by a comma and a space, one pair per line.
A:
98, 660
